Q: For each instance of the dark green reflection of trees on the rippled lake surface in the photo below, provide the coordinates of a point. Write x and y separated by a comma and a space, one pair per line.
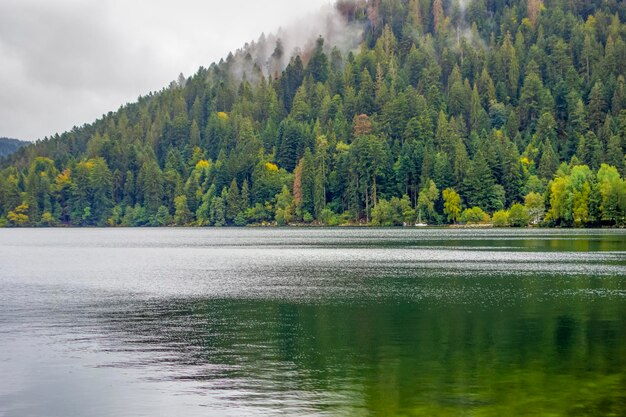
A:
540, 345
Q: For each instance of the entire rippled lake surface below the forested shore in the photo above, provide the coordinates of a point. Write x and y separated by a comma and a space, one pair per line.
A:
381, 322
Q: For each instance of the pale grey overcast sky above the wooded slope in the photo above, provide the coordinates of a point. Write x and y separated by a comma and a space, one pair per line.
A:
67, 62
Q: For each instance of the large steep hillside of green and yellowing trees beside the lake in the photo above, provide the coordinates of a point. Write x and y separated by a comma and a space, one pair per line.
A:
447, 111
